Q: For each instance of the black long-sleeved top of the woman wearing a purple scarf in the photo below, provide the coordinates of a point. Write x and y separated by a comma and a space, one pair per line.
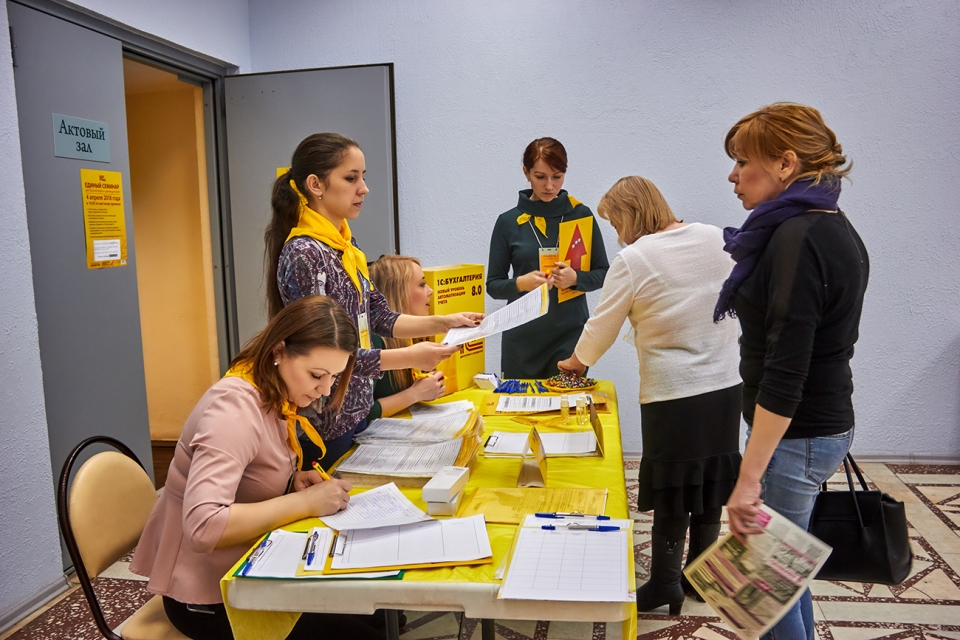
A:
799, 313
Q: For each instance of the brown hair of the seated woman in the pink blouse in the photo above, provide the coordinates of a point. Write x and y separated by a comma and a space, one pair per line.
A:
301, 327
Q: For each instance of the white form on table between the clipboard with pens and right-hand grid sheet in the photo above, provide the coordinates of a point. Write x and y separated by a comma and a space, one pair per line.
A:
451, 540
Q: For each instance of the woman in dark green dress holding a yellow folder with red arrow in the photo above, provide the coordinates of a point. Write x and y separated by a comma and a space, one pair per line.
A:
549, 221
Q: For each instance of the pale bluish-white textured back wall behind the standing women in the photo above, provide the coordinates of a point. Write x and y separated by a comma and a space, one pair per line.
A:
651, 88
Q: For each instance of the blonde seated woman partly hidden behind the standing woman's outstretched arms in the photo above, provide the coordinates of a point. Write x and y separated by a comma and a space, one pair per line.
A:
400, 280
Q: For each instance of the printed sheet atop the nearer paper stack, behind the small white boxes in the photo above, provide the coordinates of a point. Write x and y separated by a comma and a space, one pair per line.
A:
413, 460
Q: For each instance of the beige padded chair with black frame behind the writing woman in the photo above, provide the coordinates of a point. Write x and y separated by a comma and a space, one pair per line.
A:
102, 514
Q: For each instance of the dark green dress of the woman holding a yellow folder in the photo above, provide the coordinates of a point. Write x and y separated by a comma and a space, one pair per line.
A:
533, 350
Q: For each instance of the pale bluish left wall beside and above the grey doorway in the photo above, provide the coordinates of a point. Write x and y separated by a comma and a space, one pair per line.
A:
30, 563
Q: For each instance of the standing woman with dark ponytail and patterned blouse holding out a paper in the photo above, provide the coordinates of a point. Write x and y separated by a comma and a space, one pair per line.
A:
311, 250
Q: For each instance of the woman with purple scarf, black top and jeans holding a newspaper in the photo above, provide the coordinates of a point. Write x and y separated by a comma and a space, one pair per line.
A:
797, 289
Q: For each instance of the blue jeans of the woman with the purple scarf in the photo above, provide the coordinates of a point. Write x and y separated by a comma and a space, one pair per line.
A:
790, 487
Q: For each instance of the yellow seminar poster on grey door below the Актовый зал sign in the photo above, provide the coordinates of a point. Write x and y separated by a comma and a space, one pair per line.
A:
103, 221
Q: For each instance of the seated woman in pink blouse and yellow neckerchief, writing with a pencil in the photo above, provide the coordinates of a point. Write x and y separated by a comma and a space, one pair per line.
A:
234, 475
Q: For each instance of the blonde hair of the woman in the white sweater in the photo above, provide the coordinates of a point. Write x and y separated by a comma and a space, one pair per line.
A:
636, 208
